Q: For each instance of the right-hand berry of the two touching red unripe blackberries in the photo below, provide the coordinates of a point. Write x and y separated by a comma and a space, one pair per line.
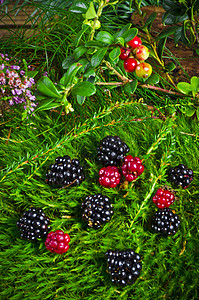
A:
132, 167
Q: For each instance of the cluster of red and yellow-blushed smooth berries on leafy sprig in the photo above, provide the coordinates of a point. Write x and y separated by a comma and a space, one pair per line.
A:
134, 56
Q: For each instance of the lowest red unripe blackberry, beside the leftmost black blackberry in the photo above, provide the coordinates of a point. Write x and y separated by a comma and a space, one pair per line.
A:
57, 242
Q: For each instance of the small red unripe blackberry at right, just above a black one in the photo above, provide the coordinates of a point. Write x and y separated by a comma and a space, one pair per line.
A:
163, 198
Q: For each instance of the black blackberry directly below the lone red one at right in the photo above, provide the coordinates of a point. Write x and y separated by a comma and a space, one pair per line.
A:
165, 221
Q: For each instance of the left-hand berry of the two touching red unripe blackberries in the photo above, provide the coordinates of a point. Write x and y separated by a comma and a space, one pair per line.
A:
109, 176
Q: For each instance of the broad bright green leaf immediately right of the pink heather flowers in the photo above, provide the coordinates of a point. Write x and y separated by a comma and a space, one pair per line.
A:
47, 87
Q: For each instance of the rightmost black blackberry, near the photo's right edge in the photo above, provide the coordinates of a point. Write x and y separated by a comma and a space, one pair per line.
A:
181, 176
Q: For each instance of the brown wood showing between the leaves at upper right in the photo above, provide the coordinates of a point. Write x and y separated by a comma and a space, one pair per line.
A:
187, 56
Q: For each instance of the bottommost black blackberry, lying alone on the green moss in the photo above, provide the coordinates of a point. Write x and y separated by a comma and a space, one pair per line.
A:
123, 266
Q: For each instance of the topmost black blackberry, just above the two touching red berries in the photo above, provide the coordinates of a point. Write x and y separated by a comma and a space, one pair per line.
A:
112, 151
